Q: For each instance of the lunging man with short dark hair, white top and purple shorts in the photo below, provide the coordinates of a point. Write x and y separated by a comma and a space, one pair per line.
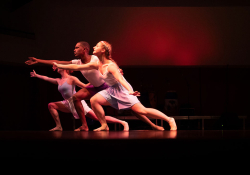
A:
94, 77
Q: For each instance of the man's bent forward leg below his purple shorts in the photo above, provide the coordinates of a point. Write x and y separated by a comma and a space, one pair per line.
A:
82, 94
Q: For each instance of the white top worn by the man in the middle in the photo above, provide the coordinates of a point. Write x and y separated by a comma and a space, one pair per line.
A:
93, 76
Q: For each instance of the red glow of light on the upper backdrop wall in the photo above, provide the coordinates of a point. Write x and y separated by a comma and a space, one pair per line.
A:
154, 36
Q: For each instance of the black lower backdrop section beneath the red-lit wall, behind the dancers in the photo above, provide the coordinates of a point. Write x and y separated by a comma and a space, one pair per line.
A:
213, 90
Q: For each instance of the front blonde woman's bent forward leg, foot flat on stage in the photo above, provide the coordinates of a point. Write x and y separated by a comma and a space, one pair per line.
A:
96, 103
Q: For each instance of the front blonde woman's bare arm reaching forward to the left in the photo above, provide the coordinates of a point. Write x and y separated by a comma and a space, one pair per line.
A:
75, 67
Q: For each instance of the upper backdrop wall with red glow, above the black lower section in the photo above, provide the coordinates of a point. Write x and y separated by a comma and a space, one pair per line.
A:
141, 34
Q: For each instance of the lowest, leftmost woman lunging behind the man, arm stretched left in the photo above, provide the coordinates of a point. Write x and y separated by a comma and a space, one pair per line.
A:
66, 86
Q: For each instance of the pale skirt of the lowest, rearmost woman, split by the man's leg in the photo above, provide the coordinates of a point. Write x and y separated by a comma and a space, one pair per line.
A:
70, 105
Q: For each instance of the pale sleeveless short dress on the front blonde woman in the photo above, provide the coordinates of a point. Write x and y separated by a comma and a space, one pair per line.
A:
116, 94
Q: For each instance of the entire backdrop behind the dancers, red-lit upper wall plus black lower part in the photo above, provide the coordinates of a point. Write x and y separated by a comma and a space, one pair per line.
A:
200, 50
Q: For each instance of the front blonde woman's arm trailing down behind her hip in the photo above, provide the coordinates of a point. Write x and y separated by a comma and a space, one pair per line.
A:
113, 69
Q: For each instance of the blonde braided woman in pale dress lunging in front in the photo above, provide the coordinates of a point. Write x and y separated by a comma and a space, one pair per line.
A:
120, 94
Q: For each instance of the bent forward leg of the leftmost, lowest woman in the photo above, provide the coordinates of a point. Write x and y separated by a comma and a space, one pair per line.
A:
53, 107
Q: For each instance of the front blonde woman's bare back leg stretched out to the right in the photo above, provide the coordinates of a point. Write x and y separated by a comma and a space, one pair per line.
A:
140, 109
